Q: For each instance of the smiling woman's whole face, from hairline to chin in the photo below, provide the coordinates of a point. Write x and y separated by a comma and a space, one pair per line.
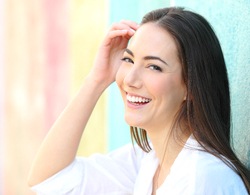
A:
150, 79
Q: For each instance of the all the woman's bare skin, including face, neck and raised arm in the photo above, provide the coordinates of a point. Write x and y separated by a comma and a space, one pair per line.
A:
164, 89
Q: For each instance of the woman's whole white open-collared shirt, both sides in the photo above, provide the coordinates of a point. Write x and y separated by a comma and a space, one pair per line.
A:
129, 170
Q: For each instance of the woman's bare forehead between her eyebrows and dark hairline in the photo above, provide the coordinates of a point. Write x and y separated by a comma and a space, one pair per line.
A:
153, 39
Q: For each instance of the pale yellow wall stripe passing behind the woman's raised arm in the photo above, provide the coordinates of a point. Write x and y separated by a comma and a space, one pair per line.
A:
87, 28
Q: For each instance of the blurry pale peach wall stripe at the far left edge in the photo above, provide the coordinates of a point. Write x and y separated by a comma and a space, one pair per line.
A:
24, 105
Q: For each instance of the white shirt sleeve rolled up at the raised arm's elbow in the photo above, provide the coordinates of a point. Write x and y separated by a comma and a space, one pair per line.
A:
114, 173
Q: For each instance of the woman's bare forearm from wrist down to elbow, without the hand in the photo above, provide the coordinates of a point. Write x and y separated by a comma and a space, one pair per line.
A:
60, 145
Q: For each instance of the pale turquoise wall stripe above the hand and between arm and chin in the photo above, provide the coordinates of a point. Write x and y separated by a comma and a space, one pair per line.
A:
118, 130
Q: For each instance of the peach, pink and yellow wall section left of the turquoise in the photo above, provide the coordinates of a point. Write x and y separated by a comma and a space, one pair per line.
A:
47, 48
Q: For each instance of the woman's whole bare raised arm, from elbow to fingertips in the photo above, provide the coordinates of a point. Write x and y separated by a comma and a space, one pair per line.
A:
59, 148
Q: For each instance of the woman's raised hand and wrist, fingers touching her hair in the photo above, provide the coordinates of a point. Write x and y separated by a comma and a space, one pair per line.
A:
108, 58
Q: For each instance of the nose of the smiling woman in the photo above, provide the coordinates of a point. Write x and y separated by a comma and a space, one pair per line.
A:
133, 78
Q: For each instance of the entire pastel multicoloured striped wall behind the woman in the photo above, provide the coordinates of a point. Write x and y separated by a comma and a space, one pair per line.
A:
47, 48
